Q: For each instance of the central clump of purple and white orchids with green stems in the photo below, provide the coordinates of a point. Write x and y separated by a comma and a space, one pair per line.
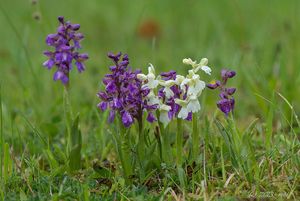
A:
132, 96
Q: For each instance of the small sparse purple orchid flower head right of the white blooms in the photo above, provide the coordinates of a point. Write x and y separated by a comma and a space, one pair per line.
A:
226, 104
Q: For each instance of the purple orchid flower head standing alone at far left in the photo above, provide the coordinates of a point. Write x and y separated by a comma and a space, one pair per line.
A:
66, 43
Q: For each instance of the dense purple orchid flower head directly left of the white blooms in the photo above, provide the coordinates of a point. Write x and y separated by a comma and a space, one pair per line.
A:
123, 92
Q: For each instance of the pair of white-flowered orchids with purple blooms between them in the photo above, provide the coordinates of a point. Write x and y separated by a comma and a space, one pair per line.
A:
177, 96
